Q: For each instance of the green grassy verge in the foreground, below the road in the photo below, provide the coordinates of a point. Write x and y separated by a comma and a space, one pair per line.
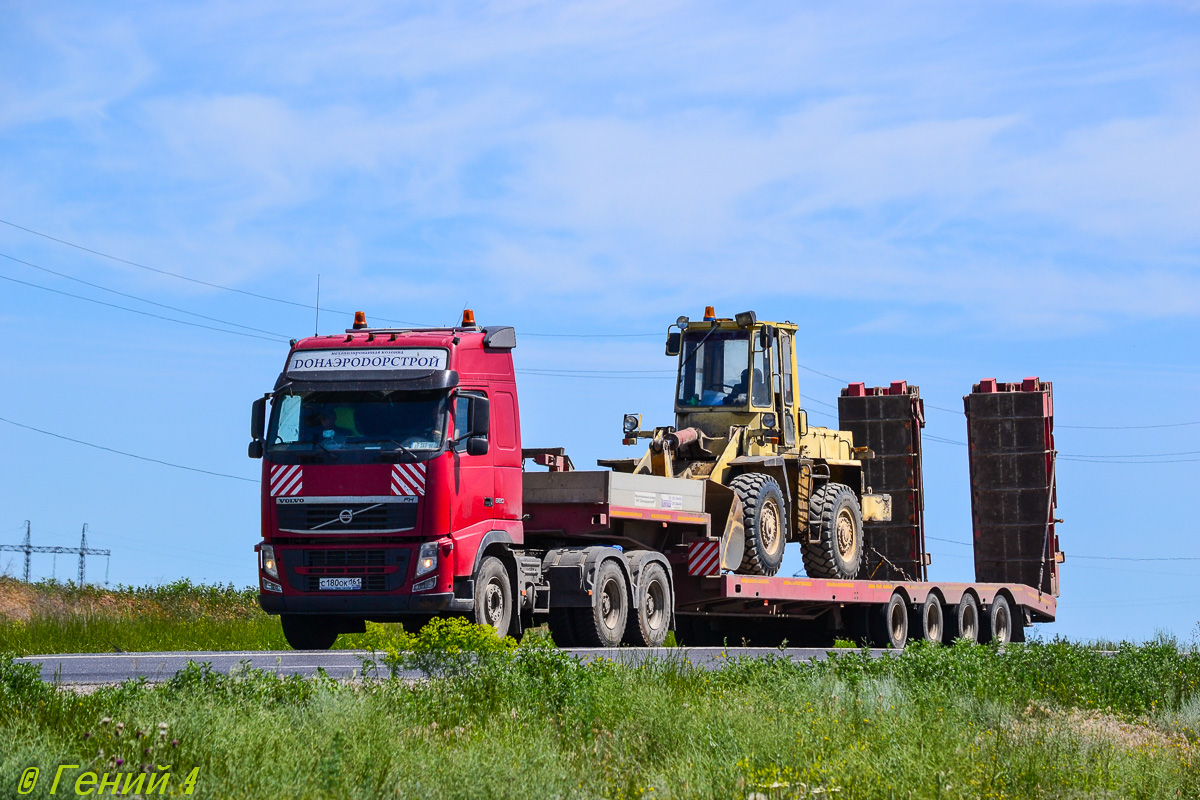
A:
496, 720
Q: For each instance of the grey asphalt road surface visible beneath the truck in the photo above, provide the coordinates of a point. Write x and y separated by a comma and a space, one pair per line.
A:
101, 669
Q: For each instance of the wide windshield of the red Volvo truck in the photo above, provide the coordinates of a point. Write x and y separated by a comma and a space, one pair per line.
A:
403, 423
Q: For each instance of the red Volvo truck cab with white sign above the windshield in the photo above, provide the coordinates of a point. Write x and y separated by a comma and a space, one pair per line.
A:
392, 468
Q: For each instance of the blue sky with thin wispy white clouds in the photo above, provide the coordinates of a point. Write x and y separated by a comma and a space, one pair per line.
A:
938, 193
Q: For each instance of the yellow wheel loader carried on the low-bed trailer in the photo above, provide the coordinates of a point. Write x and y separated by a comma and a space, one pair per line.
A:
771, 478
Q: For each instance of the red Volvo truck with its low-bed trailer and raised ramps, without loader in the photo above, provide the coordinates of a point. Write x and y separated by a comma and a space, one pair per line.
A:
394, 489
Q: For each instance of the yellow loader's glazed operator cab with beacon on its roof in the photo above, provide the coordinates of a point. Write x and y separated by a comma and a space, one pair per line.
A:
736, 372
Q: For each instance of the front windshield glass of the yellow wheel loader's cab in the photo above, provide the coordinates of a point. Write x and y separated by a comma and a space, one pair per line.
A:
715, 369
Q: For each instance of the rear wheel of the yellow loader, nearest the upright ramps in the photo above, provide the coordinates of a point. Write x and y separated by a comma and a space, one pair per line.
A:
836, 522
